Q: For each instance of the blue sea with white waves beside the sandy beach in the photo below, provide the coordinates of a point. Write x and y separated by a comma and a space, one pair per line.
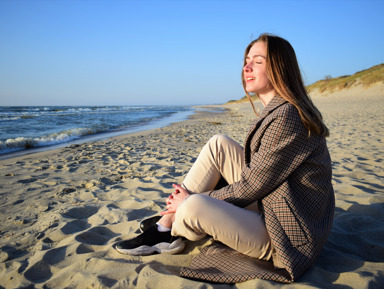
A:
23, 128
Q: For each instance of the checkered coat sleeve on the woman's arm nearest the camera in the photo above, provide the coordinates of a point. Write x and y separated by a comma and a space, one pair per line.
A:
284, 146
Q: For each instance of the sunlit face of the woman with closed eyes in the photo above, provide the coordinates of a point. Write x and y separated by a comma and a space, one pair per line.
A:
254, 71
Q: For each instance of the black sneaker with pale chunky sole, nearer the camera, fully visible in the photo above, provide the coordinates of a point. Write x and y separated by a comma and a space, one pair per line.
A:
151, 241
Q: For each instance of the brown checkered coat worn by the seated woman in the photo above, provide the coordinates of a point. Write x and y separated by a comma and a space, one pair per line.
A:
289, 172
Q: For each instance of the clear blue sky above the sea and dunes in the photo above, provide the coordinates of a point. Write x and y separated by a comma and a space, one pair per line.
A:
90, 52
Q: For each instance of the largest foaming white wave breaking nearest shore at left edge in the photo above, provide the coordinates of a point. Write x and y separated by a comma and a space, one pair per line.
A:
21, 143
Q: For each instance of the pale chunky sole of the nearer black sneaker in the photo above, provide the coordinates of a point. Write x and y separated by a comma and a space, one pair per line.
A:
162, 248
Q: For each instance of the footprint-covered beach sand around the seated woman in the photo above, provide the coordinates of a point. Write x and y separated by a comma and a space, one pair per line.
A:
62, 210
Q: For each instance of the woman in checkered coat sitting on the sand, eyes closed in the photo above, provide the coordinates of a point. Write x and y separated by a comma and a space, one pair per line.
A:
278, 204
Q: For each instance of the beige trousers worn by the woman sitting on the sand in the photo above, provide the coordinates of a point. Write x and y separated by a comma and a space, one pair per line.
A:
242, 229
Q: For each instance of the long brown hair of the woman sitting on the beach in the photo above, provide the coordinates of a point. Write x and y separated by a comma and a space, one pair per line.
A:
284, 75
